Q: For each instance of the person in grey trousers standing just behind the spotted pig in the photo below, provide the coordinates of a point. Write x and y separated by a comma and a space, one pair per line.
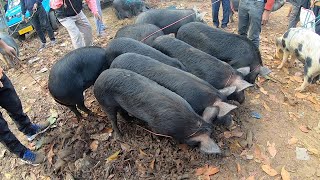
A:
294, 16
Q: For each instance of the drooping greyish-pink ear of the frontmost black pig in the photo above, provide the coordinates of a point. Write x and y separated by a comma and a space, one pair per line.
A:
207, 145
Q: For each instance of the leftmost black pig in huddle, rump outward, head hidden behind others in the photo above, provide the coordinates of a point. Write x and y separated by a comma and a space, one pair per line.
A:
74, 73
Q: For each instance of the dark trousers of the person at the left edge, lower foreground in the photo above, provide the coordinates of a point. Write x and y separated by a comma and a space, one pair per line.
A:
10, 101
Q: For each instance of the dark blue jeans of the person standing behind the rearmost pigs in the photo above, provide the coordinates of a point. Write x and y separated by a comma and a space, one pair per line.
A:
226, 12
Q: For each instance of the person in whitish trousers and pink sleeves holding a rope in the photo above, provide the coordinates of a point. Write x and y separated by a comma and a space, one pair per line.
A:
71, 16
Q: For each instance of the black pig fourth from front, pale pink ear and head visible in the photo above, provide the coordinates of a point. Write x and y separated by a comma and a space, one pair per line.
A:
217, 73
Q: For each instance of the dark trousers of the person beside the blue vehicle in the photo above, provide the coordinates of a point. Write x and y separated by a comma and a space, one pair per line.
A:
40, 22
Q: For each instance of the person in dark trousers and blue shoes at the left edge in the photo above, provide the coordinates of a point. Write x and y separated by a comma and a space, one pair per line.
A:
10, 101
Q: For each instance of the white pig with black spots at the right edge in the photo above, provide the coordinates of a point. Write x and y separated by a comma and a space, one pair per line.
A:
304, 45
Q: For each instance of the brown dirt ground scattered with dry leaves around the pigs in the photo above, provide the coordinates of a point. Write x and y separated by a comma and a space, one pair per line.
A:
262, 148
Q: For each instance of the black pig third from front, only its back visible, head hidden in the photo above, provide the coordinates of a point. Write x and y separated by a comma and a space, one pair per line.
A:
124, 45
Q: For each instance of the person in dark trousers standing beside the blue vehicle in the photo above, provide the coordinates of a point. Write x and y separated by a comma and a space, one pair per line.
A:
39, 20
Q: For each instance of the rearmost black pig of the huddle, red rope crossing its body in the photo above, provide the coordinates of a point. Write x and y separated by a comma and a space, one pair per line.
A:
165, 17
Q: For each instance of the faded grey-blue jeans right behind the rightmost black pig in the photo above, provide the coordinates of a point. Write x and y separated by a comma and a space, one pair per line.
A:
250, 17
